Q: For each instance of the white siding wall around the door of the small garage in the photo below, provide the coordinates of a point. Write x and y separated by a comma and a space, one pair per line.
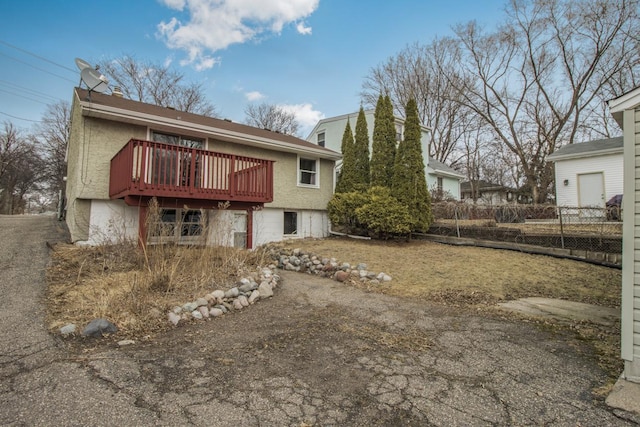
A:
610, 165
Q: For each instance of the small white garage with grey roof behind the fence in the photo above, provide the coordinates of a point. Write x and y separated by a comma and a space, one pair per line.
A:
587, 174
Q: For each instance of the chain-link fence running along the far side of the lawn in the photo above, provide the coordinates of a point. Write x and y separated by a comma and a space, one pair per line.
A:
566, 227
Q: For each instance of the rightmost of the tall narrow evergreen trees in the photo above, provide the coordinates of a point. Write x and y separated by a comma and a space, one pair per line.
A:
409, 183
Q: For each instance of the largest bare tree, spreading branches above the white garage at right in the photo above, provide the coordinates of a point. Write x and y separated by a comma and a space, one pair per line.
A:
536, 79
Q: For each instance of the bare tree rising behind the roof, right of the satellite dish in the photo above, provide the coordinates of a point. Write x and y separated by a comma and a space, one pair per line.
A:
156, 84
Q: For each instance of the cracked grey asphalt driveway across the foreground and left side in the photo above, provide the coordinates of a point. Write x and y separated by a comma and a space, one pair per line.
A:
318, 353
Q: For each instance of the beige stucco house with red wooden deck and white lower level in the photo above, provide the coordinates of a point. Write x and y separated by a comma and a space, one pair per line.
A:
248, 186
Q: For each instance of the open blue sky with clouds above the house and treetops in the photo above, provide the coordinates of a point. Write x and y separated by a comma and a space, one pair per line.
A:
310, 57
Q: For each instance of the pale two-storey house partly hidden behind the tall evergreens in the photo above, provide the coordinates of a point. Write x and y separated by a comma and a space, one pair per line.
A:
440, 177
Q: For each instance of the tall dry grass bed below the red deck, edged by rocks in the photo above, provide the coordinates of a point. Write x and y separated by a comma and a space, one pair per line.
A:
135, 288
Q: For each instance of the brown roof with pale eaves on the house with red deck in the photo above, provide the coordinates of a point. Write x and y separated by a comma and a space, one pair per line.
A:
129, 111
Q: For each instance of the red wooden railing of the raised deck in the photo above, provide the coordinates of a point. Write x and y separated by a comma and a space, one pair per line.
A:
146, 168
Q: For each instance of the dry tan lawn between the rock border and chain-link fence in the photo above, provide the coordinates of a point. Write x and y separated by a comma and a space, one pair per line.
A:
458, 274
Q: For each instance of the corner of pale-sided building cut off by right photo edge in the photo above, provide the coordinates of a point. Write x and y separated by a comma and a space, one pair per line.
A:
626, 111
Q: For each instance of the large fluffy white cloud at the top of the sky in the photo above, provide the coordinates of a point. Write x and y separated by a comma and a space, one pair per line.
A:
216, 24
